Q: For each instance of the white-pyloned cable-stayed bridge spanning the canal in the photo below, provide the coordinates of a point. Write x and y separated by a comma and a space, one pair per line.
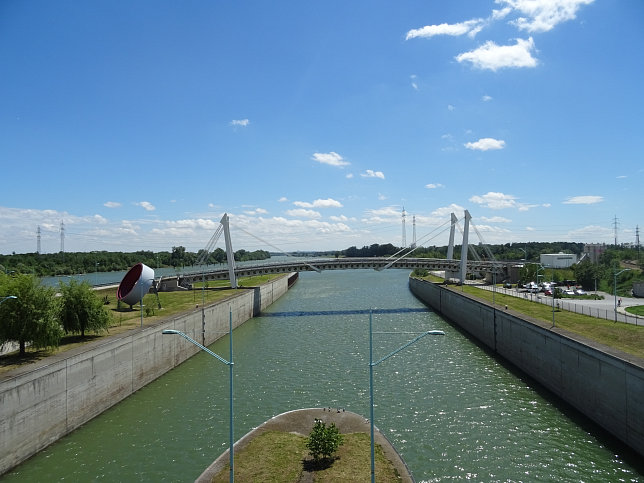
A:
454, 269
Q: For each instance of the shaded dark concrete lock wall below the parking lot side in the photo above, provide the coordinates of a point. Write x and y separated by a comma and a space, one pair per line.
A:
605, 385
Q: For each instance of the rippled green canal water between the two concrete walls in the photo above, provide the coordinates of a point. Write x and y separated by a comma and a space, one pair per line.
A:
450, 408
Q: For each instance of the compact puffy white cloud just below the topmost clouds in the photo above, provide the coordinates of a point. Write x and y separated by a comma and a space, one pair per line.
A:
493, 57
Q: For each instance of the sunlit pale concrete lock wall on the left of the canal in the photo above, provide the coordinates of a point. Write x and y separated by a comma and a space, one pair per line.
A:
39, 406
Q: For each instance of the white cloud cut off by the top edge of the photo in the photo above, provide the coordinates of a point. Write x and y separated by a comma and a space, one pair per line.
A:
544, 15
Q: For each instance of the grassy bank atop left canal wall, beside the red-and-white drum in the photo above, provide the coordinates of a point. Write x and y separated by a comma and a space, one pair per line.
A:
125, 319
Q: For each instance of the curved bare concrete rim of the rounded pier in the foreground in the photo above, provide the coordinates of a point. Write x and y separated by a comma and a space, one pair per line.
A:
300, 421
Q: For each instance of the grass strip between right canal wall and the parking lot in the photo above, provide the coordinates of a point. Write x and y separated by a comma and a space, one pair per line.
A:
628, 338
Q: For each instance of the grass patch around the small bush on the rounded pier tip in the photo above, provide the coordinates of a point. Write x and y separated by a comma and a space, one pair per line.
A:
277, 456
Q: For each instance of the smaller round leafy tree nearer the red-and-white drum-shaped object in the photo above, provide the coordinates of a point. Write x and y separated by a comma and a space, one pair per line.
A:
81, 310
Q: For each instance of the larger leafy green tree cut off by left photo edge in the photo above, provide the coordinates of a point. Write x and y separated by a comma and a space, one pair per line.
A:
31, 318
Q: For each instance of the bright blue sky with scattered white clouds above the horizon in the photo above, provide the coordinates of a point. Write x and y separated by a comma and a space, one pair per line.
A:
312, 124
